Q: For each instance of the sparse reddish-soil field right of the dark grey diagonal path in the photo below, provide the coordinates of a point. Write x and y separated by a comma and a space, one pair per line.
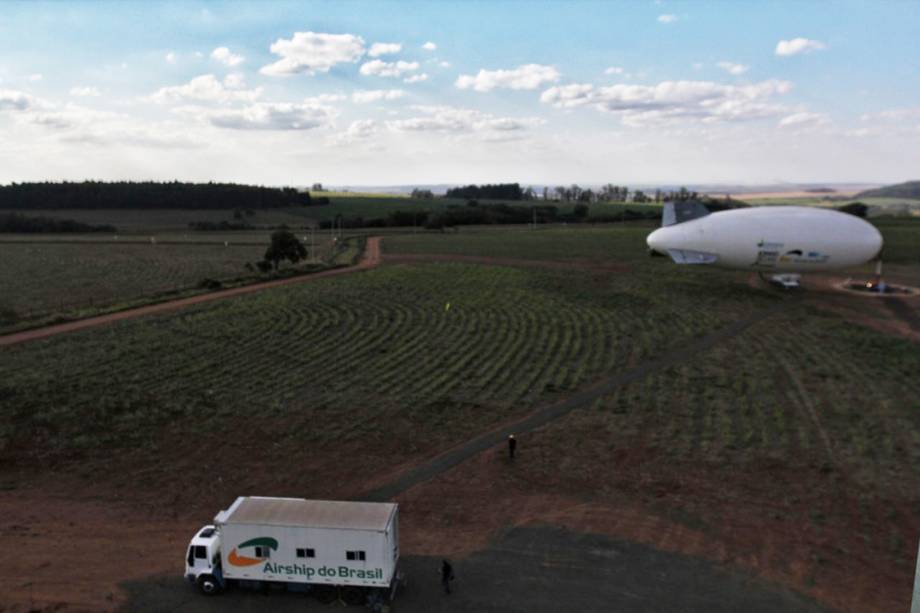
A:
796, 444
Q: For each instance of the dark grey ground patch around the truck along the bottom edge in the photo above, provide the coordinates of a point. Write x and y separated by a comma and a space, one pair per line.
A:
529, 569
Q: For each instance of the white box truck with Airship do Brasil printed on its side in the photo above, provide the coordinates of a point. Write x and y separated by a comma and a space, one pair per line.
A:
344, 550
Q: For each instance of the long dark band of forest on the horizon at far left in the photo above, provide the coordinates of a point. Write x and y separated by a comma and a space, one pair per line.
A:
147, 195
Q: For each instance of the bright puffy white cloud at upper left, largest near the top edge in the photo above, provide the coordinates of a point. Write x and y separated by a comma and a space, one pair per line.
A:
312, 52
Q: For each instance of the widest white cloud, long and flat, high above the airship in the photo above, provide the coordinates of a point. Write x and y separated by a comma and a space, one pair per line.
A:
669, 101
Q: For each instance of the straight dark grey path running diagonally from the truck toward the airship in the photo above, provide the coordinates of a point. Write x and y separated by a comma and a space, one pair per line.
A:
444, 462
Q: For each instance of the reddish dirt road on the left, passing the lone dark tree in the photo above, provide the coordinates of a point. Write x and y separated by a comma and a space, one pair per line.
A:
370, 259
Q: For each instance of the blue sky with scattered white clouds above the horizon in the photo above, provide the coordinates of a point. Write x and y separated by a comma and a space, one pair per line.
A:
395, 93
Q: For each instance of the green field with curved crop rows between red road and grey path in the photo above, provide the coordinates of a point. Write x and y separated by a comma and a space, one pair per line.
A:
449, 347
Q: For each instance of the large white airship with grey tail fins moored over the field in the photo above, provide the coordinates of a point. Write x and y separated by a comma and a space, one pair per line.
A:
769, 239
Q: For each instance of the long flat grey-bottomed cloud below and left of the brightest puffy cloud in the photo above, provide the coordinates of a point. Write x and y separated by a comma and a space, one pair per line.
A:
265, 116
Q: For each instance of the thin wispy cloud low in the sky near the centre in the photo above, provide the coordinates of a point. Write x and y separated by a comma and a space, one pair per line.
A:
451, 120
